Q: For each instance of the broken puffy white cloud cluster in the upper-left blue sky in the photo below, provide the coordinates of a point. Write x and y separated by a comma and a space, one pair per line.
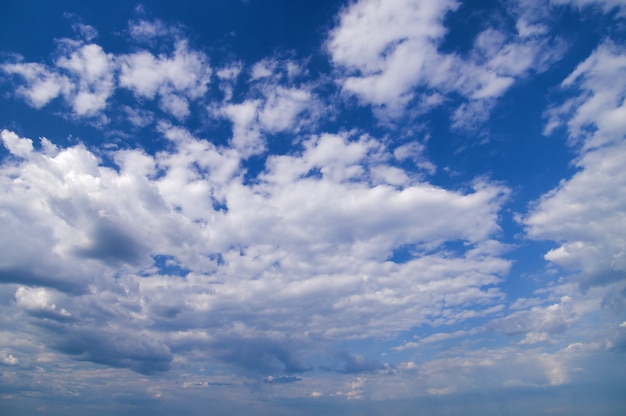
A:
86, 76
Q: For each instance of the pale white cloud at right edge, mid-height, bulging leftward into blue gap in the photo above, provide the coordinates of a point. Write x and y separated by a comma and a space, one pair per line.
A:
590, 235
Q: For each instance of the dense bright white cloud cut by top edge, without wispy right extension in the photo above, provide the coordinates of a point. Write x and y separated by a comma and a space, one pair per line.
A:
389, 47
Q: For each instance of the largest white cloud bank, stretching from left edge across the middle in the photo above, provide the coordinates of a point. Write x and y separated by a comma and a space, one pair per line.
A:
296, 248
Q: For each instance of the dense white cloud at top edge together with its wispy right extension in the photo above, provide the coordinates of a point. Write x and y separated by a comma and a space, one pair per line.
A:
389, 53
